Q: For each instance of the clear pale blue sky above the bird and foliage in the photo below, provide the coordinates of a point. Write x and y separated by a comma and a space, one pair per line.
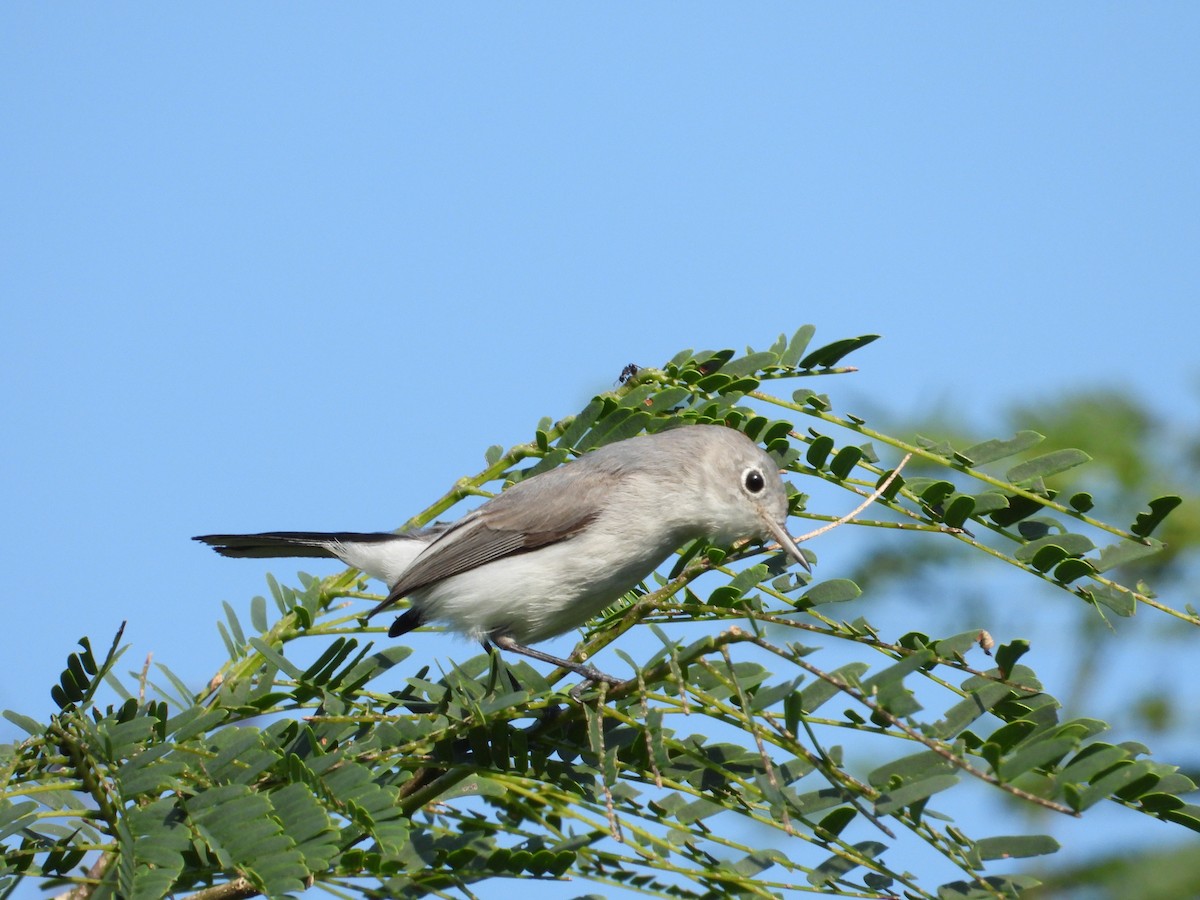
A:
297, 267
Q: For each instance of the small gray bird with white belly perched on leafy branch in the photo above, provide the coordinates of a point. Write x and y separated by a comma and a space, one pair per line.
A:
550, 553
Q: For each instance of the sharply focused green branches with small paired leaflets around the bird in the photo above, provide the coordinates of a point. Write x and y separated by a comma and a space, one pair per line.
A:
717, 770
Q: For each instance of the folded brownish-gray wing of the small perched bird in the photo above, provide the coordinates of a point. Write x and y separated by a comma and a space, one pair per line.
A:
544, 511
